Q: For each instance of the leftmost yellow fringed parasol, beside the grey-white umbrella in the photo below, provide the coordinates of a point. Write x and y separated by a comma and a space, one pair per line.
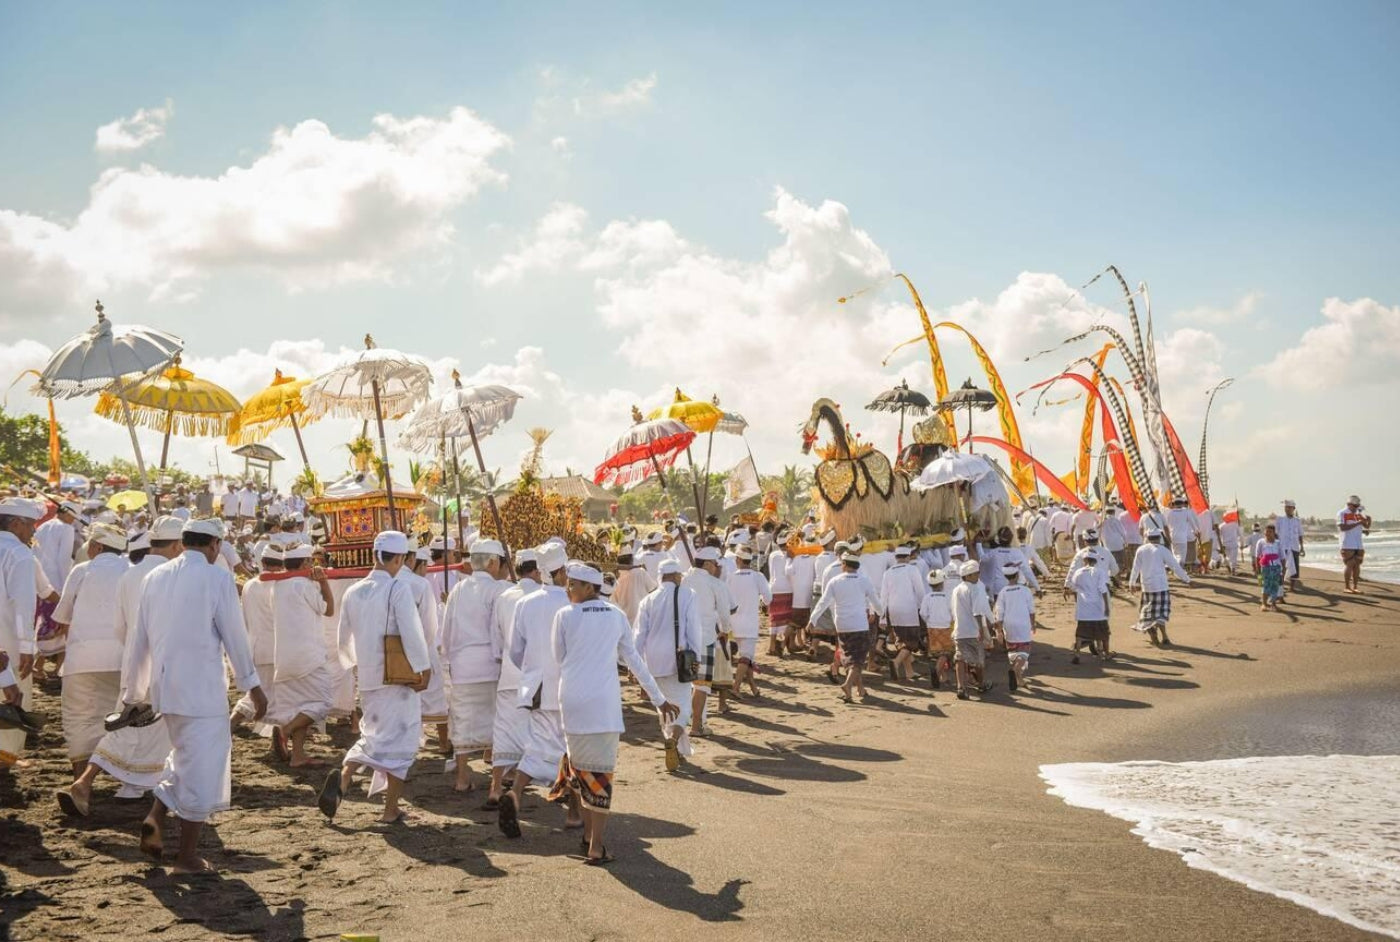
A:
174, 402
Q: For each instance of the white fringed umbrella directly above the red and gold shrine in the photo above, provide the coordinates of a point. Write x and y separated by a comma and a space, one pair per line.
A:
374, 384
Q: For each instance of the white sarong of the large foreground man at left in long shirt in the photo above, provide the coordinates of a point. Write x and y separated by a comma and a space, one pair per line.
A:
195, 782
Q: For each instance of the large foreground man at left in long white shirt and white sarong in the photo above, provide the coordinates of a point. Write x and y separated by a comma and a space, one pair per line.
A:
188, 622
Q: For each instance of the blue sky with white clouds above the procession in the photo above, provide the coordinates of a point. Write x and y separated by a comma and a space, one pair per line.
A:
597, 205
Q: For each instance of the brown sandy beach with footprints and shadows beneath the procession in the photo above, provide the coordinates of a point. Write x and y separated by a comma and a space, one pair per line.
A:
911, 817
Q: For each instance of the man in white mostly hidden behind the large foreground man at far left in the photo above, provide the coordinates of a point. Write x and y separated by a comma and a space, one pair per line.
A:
132, 755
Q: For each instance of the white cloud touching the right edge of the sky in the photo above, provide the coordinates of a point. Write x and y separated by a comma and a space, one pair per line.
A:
1357, 345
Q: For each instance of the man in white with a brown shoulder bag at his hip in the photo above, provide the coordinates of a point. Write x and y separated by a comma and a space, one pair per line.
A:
373, 610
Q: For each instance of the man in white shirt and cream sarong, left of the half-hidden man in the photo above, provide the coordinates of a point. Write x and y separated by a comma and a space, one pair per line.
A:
93, 661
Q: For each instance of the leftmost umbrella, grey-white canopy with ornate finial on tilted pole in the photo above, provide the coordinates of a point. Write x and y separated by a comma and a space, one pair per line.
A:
107, 359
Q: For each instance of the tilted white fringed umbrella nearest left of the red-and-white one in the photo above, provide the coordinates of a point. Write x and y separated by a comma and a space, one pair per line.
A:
472, 412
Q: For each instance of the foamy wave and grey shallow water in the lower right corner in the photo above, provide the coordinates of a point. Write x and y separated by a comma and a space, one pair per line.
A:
1298, 799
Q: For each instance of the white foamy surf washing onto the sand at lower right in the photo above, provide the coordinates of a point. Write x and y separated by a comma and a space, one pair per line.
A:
1318, 831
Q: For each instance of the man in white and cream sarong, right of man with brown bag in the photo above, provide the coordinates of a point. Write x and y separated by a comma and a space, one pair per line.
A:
474, 663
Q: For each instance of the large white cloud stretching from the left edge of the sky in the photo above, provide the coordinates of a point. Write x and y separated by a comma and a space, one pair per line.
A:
314, 209
